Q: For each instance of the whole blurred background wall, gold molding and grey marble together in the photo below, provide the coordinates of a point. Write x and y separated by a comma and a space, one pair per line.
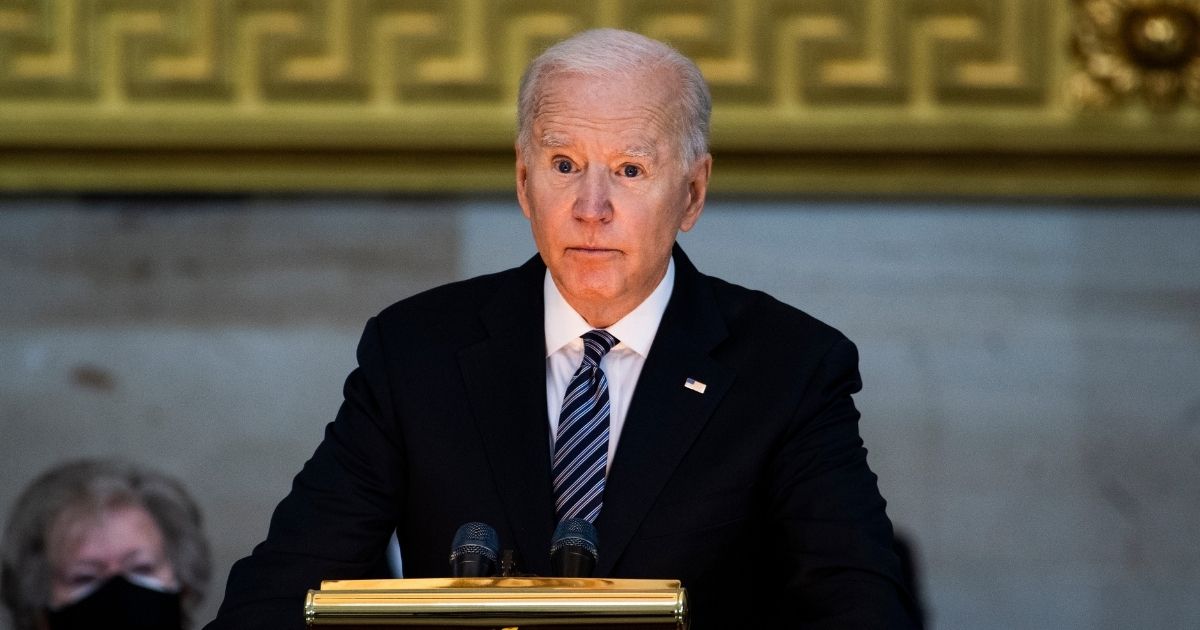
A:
1009, 231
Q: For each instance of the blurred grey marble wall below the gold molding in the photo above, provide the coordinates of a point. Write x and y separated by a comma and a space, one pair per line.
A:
1031, 369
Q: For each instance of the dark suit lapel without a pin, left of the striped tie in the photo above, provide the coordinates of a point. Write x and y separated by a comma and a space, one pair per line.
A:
506, 377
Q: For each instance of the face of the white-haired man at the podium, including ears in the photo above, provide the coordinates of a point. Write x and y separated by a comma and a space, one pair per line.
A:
604, 189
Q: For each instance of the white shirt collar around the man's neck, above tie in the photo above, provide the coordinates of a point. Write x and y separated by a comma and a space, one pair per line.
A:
637, 331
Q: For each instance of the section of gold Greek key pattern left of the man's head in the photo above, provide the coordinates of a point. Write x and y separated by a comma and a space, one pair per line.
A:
247, 52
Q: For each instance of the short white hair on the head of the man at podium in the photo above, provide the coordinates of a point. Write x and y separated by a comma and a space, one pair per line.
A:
608, 53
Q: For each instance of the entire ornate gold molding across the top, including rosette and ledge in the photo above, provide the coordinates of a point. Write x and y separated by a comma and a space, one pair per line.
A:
859, 97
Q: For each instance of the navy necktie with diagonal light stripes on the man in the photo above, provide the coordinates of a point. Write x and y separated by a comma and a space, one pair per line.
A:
581, 448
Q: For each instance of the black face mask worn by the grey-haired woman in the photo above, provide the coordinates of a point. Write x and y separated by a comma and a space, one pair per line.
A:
122, 604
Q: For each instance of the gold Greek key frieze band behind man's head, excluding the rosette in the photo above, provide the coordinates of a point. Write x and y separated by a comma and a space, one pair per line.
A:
389, 53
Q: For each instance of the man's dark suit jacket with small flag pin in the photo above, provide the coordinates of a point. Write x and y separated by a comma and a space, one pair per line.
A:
755, 494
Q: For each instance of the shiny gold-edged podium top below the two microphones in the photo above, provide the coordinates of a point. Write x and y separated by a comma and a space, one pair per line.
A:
500, 603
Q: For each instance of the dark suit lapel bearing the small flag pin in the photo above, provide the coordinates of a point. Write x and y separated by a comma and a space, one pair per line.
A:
664, 417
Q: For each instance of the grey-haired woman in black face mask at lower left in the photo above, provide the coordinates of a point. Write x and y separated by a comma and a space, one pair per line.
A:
104, 544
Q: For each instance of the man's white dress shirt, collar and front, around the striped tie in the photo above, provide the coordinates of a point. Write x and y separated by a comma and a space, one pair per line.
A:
623, 364
